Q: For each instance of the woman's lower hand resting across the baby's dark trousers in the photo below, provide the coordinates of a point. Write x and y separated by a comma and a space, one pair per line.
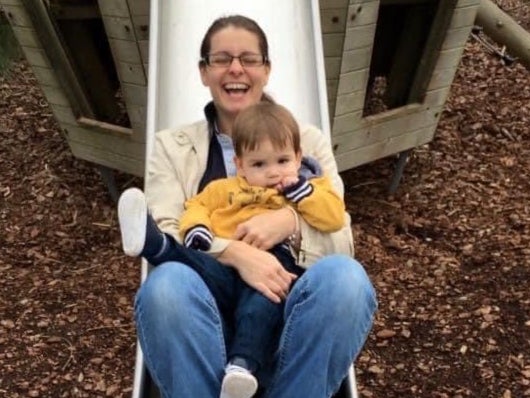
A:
259, 269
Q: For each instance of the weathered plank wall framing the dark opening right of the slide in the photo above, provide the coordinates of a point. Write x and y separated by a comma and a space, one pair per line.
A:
358, 140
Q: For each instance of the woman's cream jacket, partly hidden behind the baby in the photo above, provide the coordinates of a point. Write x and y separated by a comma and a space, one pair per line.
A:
178, 162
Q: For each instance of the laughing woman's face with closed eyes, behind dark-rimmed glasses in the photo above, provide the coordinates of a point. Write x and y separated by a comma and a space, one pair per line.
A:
235, 87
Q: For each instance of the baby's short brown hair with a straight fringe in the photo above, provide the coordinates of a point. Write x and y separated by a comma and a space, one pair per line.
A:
265, 120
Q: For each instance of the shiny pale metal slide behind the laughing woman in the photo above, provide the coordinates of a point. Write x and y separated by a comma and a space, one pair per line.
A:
176, 95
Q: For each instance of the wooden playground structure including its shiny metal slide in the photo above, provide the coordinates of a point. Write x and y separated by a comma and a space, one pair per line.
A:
373, 74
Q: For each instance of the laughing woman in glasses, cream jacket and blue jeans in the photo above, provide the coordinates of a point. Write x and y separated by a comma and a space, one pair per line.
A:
328, 313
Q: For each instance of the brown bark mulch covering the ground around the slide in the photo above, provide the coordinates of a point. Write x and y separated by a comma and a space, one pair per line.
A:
449, 252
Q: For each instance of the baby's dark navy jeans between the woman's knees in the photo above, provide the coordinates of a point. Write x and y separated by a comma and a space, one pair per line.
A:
252, 322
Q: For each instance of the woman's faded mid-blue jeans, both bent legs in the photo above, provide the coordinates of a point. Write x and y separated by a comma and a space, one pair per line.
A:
327, 317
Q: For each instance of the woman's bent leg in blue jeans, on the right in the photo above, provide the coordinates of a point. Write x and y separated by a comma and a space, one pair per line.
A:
328, 315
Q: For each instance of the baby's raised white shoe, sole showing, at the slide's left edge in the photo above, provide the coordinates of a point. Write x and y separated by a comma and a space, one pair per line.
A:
132, 216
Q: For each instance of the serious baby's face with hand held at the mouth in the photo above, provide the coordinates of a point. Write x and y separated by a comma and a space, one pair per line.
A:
267, 166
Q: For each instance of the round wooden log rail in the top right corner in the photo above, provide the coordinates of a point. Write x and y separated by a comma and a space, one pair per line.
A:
505, 31
